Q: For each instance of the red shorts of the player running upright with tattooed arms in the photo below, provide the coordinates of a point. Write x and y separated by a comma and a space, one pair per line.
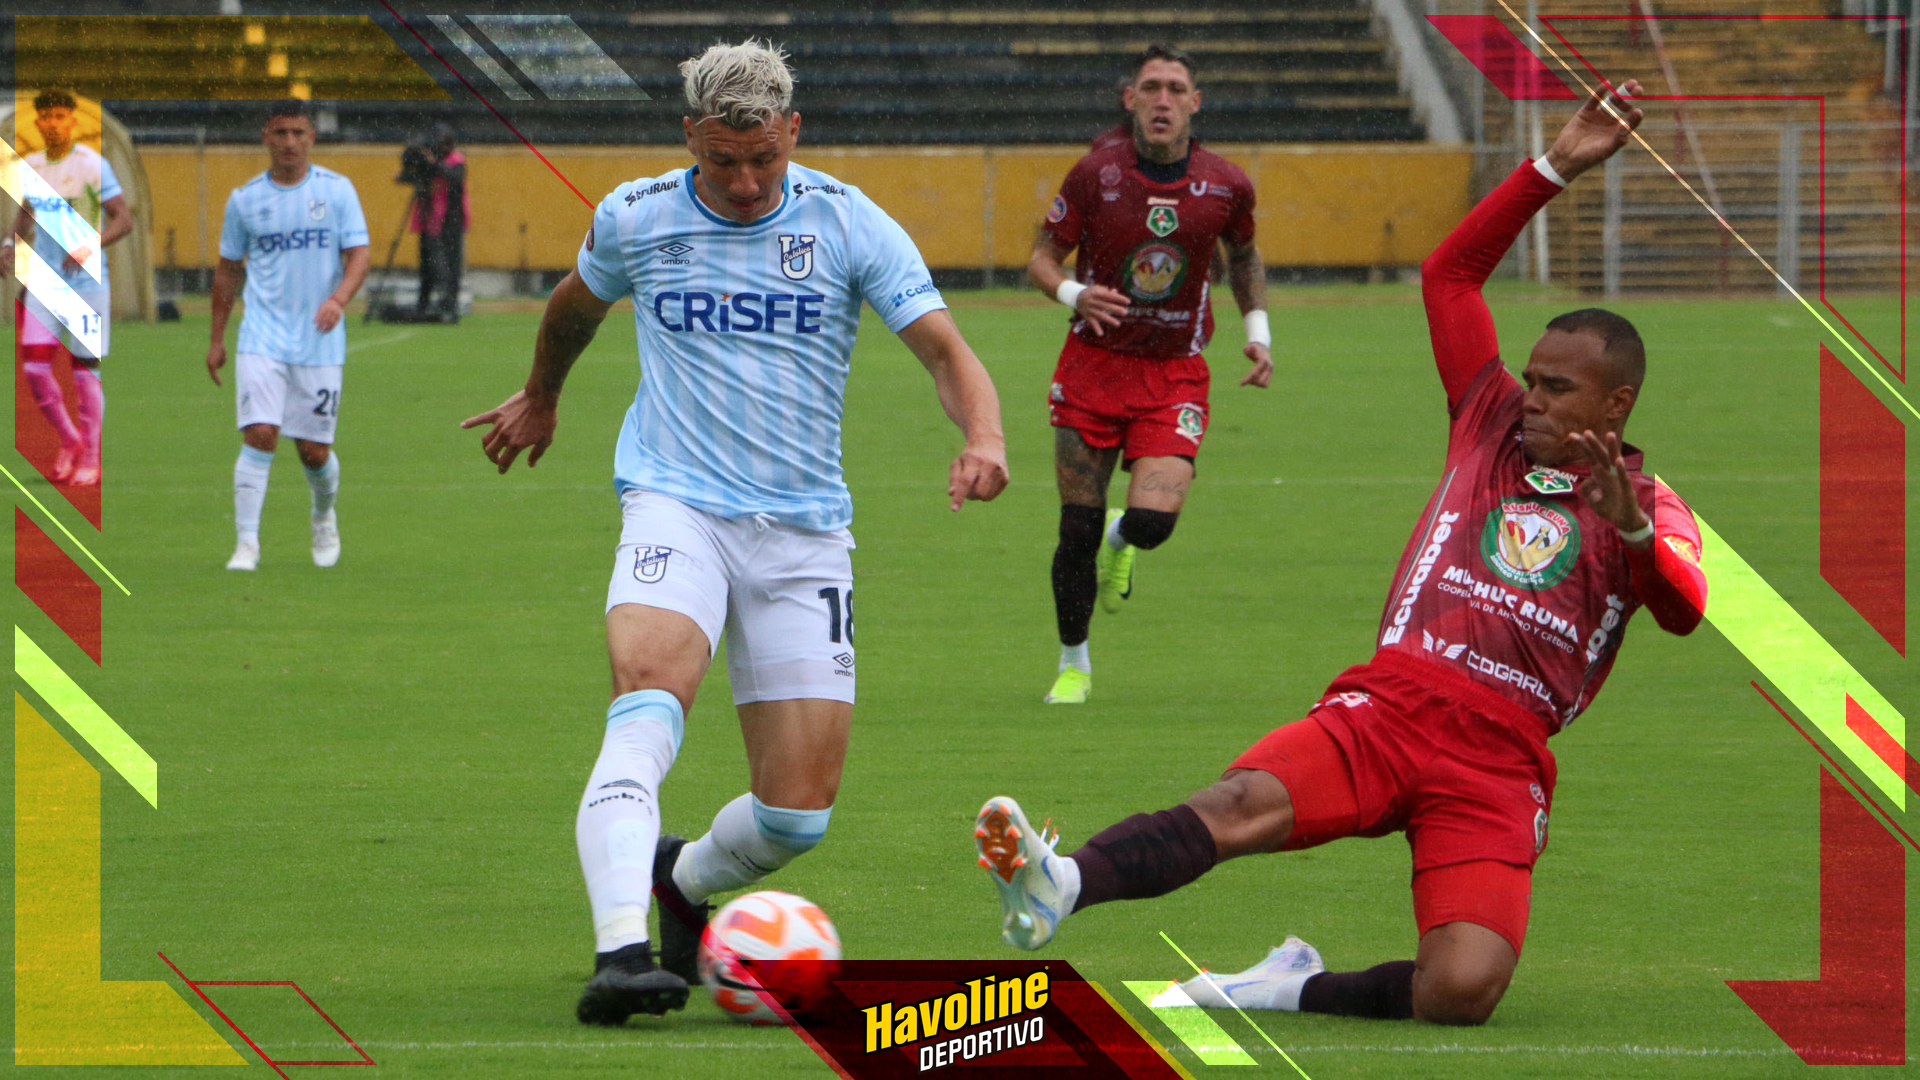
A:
1151, 408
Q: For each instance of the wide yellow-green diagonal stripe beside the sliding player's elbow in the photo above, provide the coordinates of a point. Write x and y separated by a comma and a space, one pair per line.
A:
1796, 658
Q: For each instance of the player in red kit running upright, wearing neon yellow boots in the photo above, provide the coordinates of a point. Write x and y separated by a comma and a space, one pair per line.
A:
1132, 387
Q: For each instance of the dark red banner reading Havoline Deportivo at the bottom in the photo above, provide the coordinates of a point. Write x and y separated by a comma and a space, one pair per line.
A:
976, 1019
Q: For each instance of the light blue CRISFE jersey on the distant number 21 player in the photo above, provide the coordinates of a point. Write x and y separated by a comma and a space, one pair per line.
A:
291, 241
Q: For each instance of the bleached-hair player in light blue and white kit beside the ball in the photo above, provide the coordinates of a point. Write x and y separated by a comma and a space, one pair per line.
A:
746, 276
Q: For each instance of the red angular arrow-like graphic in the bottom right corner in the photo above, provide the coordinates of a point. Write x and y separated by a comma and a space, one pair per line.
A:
1856, 1014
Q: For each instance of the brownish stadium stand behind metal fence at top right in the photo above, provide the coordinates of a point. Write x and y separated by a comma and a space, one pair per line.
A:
1760, 95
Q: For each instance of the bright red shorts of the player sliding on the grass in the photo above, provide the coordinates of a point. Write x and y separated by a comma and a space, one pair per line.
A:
1389, 750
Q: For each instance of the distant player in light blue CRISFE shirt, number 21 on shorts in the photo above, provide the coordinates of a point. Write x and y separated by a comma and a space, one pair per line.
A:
299, 237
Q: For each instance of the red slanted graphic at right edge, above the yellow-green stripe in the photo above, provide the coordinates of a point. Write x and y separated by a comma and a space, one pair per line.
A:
1863, 501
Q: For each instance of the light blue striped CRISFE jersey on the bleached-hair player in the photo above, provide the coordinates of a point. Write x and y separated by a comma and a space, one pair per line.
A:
746, 335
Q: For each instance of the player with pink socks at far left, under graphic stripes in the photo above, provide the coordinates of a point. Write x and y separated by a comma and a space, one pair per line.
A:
70, 233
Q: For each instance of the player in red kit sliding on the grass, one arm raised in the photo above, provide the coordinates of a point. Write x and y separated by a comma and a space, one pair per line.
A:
1539, 545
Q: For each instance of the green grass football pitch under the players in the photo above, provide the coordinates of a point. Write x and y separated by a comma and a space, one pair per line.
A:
370, 773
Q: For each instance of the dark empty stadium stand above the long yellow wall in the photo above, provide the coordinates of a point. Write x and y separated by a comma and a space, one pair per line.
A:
1005, 74
